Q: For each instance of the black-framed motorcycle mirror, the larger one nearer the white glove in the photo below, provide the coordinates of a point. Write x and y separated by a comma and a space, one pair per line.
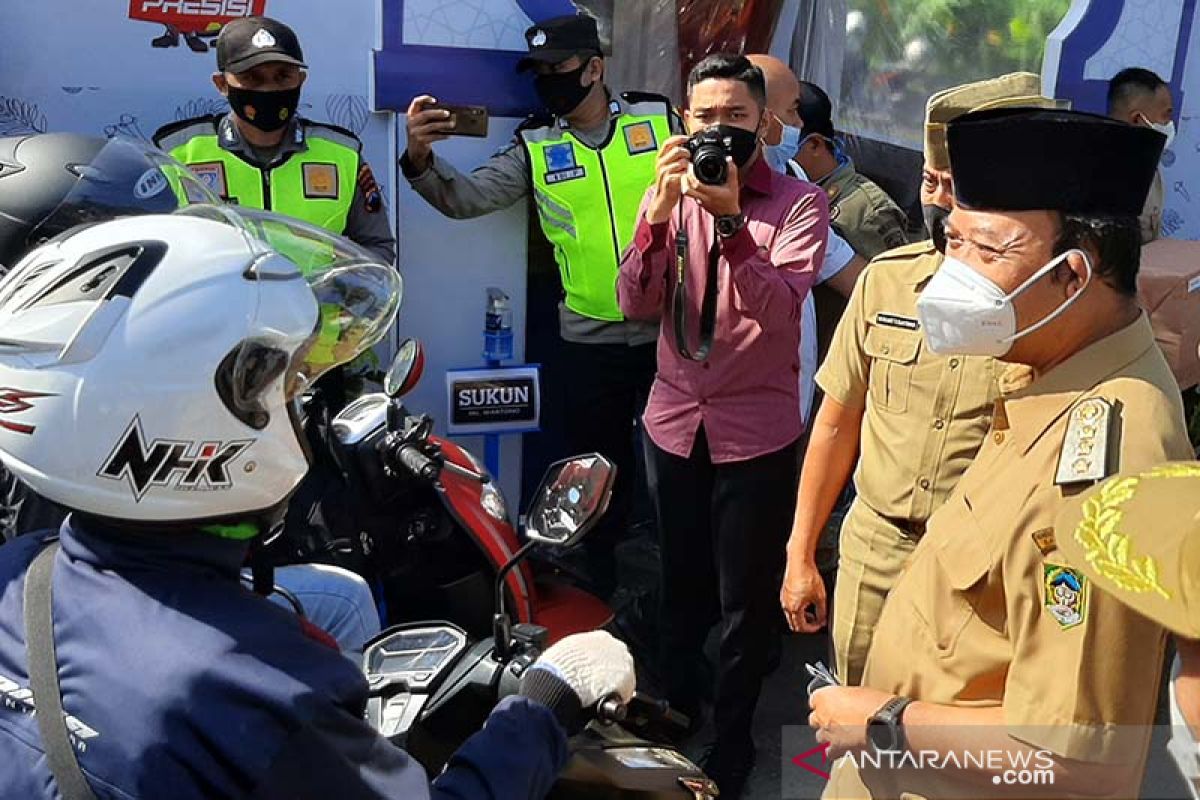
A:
571, 501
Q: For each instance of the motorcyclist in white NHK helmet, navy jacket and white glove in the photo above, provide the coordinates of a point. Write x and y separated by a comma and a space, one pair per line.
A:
149, 366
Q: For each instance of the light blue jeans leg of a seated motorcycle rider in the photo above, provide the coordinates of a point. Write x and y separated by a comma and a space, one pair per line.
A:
335, 600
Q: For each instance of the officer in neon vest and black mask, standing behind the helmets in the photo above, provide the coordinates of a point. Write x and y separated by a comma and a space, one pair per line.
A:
262, 155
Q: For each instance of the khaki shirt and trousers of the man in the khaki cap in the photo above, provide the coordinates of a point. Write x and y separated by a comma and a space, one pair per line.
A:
926, 417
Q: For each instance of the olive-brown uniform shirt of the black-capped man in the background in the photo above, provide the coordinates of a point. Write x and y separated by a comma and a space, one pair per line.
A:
863, 213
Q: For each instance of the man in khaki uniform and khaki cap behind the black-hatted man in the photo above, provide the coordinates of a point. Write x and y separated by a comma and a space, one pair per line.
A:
914, 418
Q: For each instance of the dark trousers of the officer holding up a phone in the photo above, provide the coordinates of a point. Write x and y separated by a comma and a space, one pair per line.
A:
605, 392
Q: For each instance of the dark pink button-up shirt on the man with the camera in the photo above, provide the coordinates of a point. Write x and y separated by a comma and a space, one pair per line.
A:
746, 394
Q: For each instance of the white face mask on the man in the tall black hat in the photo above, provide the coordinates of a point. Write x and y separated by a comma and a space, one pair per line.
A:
964, 314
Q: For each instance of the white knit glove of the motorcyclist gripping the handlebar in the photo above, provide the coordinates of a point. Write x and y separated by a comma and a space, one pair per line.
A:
595, 665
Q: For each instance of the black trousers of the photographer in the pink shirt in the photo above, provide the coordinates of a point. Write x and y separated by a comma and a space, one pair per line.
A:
723, 531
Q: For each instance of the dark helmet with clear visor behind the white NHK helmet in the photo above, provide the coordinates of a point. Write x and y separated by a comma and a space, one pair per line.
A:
51, 183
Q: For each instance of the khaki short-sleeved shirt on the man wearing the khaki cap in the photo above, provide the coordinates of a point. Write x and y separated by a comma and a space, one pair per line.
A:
926, 414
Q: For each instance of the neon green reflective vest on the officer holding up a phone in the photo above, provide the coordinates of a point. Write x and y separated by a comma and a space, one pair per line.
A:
589, 200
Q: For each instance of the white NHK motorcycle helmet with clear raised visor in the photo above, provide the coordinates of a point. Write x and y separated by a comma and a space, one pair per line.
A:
148, 365
